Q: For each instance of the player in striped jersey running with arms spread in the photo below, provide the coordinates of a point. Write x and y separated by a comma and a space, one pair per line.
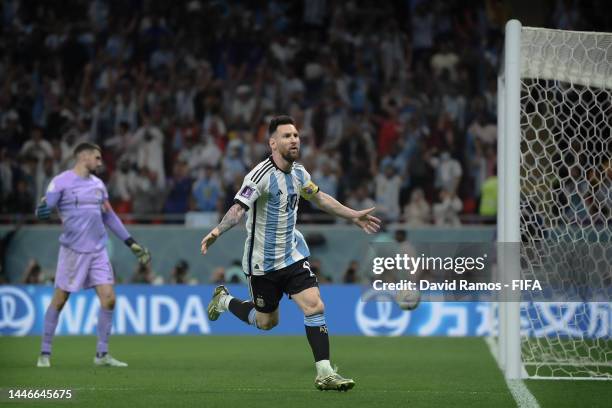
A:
275, 253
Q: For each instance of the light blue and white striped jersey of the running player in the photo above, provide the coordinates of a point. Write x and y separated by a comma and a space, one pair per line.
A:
271, 198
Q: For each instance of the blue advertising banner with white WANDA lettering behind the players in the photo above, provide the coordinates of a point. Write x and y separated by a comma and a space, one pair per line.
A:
181, 310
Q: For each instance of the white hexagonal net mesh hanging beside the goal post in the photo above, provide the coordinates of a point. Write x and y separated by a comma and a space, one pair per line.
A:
566, 199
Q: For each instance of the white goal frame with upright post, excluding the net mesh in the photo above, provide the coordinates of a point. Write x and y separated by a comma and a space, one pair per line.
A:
505, 341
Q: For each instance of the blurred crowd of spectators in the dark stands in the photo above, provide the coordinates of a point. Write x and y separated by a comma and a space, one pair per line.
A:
395, 101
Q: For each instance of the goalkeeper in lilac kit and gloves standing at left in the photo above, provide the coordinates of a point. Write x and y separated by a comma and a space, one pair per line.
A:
82, 203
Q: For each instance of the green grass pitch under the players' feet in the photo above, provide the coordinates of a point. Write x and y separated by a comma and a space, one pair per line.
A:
275, 371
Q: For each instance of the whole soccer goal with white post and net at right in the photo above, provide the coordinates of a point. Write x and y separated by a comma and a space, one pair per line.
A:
555, 189
